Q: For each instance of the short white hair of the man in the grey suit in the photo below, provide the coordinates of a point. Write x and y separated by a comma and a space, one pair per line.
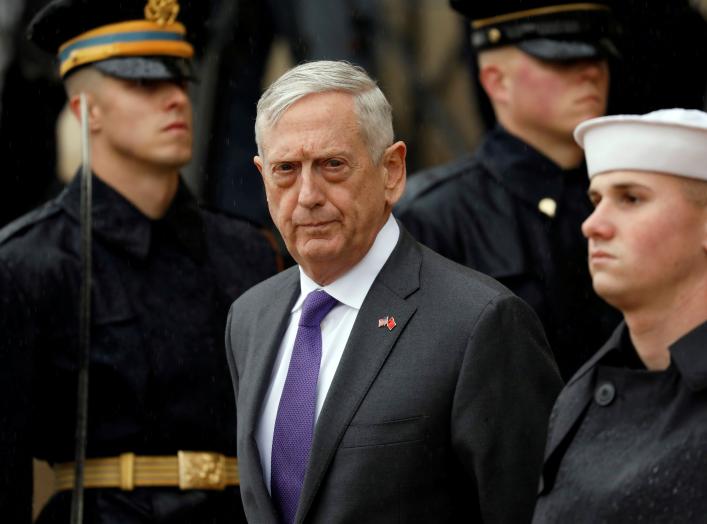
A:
373, 111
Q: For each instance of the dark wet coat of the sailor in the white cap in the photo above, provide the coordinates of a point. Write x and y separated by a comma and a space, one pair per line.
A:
630, 445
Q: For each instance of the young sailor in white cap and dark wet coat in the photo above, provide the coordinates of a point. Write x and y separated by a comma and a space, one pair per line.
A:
628, 434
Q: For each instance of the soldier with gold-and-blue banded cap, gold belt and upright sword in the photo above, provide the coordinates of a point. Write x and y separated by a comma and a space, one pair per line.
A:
161, 419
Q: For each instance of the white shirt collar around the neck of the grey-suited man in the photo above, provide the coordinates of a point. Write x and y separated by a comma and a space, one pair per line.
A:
351, 288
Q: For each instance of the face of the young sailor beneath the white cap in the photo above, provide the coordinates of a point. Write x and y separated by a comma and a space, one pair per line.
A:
647, 241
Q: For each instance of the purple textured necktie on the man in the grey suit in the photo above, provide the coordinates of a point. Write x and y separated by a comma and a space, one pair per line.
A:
294, 424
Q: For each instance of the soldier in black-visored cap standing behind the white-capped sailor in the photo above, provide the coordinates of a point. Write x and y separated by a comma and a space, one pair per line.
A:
513, 210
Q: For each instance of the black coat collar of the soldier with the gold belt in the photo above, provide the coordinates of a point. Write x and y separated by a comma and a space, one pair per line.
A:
118, 221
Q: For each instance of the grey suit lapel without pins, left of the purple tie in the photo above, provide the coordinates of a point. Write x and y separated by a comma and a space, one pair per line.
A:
271, 326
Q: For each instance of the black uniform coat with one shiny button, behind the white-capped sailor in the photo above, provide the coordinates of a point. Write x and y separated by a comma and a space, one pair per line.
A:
512, 213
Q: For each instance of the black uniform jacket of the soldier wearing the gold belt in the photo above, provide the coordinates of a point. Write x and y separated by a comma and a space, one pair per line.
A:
161, 292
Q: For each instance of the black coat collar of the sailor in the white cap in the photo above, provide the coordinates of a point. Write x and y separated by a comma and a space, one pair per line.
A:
687, 355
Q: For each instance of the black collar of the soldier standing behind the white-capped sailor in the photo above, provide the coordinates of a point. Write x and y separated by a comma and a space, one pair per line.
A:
524, 171
